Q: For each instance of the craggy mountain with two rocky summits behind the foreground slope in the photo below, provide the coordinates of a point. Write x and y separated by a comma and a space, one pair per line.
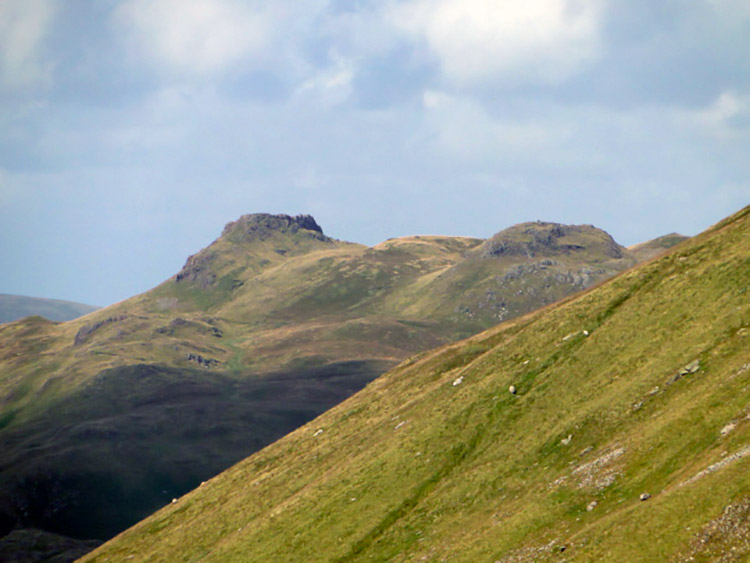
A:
105, 419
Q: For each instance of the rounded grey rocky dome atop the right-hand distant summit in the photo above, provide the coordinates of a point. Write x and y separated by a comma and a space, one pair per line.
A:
528, 239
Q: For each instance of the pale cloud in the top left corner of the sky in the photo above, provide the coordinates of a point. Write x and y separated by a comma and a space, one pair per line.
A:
23, 27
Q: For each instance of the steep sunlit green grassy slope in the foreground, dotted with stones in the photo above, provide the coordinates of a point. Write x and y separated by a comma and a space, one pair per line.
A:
627, 439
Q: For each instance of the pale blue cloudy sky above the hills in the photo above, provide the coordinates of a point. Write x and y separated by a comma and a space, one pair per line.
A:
131, 131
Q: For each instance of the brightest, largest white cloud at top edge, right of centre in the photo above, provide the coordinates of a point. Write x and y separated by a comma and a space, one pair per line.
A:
480, 41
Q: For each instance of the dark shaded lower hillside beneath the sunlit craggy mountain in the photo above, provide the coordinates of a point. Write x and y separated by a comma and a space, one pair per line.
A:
137, 436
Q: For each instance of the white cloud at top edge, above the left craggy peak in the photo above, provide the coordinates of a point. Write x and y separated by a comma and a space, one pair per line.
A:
201, 36
